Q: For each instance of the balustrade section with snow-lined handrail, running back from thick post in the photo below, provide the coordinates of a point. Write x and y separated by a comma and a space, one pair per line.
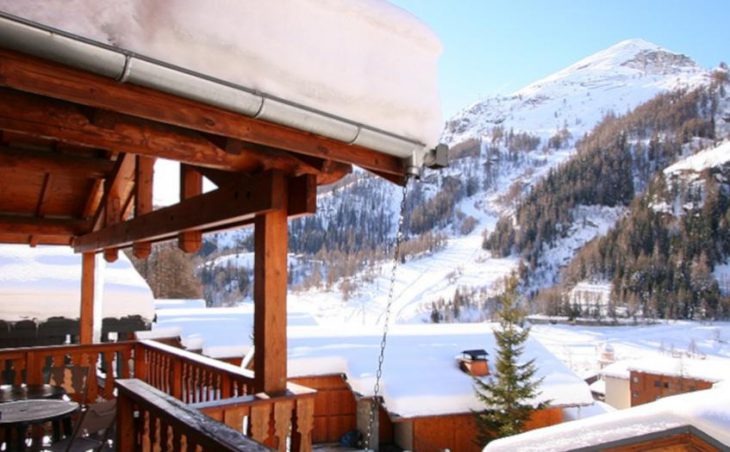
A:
189, 377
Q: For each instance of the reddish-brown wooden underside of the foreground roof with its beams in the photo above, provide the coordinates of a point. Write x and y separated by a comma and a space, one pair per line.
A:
76, 156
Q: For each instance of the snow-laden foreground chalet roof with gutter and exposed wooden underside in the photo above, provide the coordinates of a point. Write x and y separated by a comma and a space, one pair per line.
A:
257, 97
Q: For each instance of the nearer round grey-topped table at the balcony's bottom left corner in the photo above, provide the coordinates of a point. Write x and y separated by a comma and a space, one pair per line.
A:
18, 416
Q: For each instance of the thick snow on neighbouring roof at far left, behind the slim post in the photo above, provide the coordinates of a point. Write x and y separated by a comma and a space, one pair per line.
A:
45, 281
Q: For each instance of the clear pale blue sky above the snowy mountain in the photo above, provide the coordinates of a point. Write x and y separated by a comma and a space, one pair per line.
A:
493, 46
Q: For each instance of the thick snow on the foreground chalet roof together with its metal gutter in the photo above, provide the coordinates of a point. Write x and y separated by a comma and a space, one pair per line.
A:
349, 71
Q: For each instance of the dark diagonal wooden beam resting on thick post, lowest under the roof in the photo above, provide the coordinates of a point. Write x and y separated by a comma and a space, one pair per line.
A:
213, 209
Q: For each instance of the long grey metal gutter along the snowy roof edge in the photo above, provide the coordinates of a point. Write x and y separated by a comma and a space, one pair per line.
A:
128, 67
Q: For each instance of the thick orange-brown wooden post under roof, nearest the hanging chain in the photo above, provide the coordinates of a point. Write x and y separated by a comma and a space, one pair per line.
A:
270, 279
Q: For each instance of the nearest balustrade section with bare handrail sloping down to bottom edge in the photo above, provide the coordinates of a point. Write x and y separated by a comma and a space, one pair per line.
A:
151, 420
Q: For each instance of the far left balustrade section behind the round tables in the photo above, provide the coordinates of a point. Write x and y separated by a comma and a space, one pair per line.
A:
69, 366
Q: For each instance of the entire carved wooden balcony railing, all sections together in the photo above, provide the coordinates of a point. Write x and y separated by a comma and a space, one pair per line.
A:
171, 399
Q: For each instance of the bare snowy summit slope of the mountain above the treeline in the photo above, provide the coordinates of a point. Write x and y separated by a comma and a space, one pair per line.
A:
616, 80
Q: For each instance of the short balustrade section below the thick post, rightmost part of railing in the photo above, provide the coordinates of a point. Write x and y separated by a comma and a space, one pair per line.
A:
269, 420
